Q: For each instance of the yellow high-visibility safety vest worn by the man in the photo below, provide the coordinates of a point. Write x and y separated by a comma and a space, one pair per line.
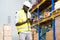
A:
22, 18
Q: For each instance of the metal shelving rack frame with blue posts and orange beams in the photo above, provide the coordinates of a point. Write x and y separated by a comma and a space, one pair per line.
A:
52, 17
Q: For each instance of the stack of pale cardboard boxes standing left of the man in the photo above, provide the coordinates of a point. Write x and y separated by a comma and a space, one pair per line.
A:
7, 32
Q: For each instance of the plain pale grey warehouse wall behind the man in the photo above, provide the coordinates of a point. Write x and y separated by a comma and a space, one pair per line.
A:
8, 8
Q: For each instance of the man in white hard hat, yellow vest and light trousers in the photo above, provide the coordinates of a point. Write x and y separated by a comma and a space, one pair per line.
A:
23, 22
